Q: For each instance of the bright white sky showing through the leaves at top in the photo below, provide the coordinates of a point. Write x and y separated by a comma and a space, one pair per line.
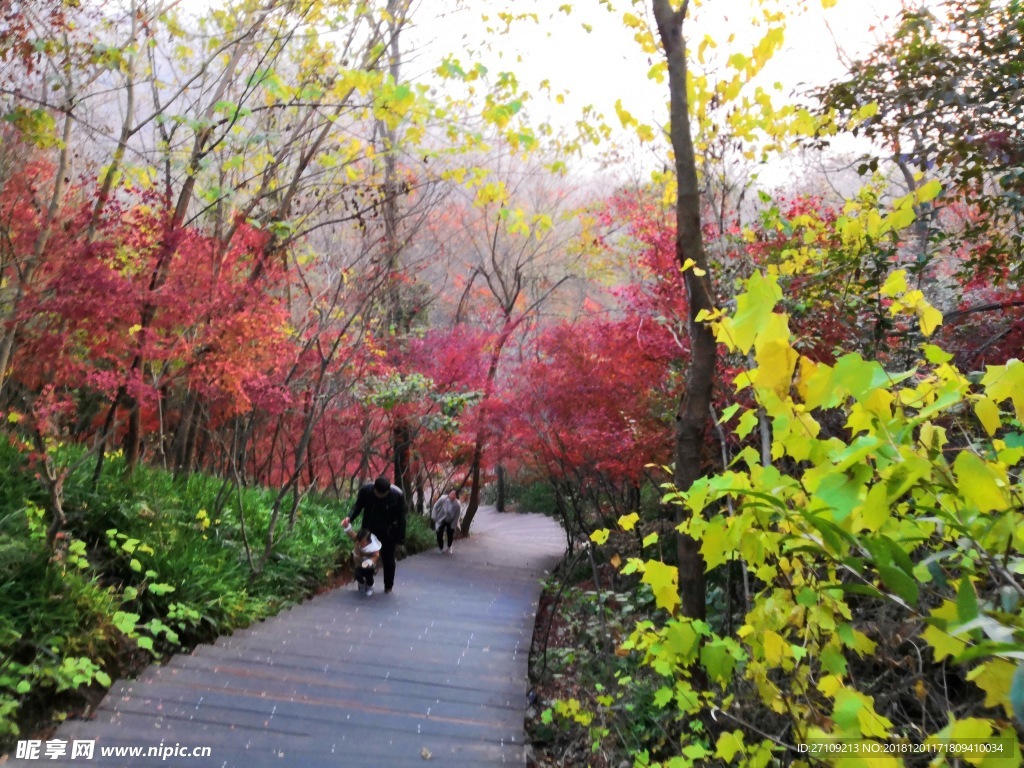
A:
606, 65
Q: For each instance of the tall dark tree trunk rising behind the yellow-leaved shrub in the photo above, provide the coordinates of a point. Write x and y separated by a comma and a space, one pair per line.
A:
692, 417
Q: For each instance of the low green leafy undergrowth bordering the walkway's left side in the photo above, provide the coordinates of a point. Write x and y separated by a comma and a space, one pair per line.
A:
150, 565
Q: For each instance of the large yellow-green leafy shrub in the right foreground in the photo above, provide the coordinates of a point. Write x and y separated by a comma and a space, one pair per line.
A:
895, 511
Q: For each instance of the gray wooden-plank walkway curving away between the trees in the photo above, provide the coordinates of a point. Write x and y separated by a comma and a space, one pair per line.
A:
432, 675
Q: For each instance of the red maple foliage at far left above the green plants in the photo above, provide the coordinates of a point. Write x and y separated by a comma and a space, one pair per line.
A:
201, 316
